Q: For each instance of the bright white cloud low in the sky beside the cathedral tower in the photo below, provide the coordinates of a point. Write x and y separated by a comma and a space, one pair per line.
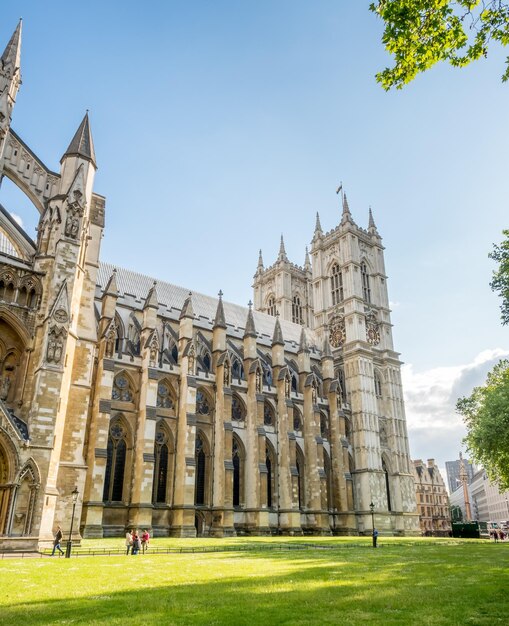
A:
435, 430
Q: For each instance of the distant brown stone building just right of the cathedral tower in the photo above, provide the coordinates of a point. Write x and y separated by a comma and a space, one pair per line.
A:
432, 499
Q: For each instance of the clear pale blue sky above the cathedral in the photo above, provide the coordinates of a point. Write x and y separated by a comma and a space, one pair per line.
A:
219, 125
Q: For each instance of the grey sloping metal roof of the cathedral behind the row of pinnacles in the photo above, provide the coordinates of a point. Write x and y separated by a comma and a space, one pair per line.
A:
133, 289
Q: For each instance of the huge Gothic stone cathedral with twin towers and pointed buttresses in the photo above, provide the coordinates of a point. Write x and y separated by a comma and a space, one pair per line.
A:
179, 412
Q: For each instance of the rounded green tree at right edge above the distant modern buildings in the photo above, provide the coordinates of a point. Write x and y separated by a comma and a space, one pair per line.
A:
486, 415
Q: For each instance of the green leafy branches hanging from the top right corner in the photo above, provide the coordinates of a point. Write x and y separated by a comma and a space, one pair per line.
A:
420, 33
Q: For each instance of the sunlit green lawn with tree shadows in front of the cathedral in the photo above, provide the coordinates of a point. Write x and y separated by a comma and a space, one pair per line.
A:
417, 581
